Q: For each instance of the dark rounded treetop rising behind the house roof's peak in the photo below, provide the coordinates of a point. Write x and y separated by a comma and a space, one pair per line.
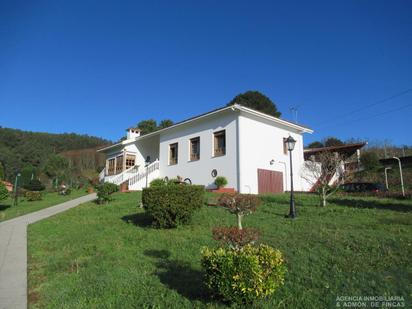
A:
256, 101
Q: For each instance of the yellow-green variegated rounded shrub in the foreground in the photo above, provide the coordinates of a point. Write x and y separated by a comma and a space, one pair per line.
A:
243, 276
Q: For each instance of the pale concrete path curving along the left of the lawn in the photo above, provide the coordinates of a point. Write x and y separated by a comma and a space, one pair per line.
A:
13, 253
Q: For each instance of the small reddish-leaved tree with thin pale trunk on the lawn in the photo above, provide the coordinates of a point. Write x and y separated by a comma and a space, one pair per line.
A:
239, 204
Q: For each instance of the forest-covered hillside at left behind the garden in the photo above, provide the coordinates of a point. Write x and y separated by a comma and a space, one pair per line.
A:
38, 153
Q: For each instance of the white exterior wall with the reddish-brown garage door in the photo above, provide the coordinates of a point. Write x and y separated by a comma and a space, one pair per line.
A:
260, 142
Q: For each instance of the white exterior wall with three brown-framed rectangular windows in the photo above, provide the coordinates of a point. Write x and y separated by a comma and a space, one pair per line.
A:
200, 171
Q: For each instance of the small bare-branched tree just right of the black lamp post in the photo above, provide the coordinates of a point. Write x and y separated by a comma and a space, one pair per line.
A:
321, 169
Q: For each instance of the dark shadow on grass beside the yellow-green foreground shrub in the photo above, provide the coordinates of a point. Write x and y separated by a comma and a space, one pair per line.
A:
180, 276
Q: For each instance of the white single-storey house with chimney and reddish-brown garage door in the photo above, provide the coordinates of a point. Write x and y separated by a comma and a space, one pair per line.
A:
243, 145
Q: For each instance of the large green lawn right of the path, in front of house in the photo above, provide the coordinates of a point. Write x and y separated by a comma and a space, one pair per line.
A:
96, 256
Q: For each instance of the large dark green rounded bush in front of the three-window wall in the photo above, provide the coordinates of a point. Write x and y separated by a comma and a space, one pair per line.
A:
170, 206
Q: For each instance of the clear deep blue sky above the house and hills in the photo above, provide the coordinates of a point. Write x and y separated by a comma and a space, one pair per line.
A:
97, 67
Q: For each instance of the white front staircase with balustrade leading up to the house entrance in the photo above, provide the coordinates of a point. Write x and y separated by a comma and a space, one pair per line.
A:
136, 178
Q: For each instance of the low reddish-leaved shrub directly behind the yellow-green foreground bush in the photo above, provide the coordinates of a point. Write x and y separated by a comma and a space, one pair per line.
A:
234, 237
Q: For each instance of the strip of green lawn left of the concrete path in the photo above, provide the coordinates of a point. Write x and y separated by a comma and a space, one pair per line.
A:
8, 211
